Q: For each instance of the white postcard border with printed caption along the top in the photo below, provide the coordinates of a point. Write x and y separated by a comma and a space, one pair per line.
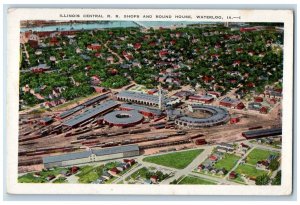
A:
14, 17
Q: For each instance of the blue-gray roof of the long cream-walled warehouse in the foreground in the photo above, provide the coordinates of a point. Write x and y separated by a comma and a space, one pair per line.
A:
85, 154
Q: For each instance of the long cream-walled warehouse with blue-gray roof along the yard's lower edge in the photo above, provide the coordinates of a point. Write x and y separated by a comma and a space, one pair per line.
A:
93, 155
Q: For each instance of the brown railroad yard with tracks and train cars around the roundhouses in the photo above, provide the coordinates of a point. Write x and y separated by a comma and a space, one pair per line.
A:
153, 135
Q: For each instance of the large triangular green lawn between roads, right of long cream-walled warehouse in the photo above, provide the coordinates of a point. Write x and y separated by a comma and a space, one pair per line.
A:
178, 160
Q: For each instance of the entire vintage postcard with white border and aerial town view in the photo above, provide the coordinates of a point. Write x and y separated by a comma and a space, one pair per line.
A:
155, 102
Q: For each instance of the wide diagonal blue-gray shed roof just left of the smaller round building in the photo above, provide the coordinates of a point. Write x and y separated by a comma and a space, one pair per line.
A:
91, 113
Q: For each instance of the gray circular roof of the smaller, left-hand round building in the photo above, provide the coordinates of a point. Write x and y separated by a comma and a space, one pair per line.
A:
131, 117
